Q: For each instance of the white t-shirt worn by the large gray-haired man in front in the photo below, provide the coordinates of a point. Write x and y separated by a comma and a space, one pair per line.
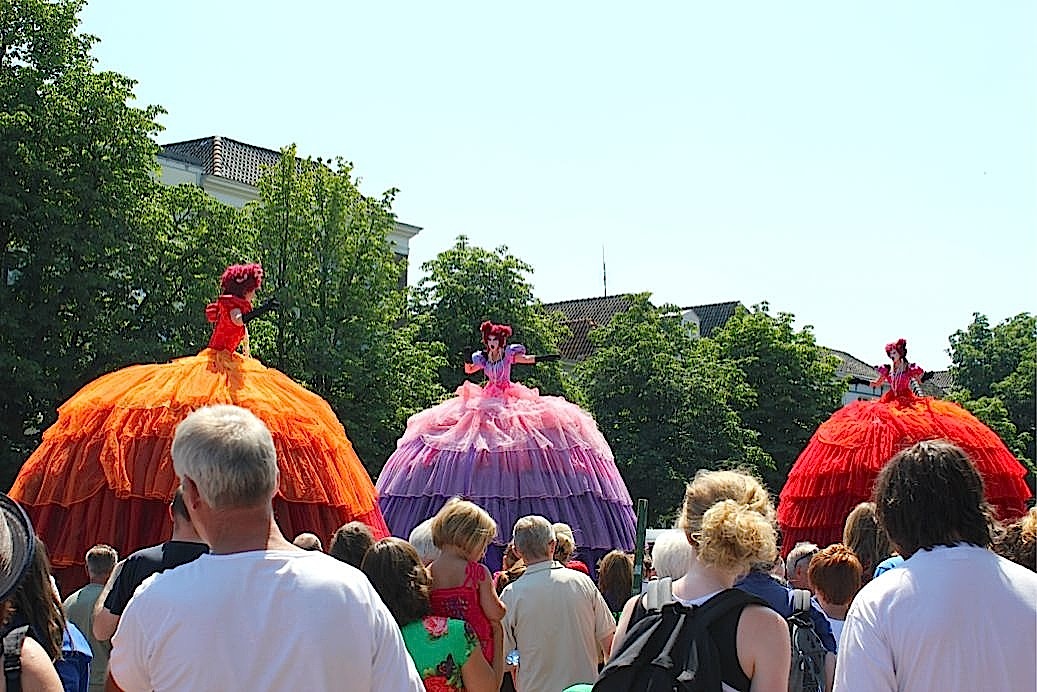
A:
289, 620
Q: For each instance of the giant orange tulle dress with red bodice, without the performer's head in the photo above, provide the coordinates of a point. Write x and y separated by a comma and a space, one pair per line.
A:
103, 473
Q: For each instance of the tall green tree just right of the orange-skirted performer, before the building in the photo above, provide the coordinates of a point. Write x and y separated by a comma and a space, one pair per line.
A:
342, 327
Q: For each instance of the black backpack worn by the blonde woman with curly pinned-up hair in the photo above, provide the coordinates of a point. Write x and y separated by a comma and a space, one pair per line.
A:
669, 649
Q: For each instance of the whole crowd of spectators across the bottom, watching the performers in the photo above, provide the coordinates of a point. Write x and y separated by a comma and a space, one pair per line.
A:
927, 591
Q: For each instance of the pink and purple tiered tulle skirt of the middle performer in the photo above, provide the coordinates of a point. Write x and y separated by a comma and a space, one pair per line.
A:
513, 453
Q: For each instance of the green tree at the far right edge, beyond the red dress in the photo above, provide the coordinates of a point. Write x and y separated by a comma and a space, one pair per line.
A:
995, 375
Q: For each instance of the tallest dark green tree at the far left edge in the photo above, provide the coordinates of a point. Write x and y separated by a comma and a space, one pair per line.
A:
75, 163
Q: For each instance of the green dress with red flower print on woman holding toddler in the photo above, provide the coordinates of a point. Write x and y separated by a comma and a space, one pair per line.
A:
440, 647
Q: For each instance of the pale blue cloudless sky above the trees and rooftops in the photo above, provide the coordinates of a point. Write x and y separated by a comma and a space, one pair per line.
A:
870, 168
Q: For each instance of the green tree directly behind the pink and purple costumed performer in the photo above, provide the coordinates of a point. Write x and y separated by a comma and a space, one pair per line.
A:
466, 286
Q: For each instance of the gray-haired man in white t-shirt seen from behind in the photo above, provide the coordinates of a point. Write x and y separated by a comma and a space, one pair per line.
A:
239, 618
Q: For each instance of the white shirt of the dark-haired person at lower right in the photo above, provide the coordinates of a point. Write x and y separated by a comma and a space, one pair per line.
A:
950, 619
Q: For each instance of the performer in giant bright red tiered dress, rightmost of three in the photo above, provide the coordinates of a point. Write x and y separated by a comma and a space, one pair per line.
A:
839, 465
